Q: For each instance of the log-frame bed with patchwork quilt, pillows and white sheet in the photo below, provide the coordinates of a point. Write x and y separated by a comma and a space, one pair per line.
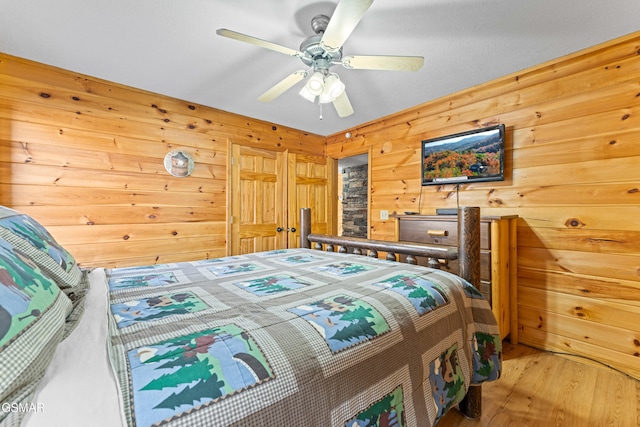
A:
304, 336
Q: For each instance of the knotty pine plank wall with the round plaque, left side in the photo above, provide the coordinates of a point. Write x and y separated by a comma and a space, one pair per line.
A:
85, 158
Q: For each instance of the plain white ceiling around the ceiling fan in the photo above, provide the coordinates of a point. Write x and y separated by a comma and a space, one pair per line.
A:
171, 47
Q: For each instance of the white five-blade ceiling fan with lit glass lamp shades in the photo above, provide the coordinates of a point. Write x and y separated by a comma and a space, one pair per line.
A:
322, 51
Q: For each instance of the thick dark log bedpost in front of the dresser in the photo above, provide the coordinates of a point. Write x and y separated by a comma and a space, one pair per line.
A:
469, 264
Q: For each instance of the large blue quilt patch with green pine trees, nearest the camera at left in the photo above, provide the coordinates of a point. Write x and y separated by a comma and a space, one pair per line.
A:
189, 371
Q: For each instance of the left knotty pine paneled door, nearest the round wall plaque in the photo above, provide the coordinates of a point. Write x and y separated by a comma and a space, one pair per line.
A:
258, 200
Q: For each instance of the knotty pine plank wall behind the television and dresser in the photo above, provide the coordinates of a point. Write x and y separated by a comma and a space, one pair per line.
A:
573, 162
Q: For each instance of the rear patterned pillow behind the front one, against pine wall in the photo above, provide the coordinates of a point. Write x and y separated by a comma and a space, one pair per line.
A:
35, 242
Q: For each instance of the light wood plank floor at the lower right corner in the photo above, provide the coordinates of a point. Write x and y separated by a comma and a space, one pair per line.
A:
542, 389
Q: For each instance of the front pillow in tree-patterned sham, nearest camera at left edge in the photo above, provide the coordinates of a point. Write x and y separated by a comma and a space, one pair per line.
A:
33, 314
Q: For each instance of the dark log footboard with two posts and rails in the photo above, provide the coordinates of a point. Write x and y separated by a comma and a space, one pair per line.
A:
467, 253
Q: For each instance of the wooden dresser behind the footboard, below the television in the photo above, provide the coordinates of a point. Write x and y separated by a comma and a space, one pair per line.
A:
498, 271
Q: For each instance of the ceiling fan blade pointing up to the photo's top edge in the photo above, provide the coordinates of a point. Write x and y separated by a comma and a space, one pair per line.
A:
346, 17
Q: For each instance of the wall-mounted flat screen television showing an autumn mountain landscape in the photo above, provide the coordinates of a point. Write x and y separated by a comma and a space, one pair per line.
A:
466, 157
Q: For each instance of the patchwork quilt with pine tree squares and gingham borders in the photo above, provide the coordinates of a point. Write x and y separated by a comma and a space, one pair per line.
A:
296, 337
